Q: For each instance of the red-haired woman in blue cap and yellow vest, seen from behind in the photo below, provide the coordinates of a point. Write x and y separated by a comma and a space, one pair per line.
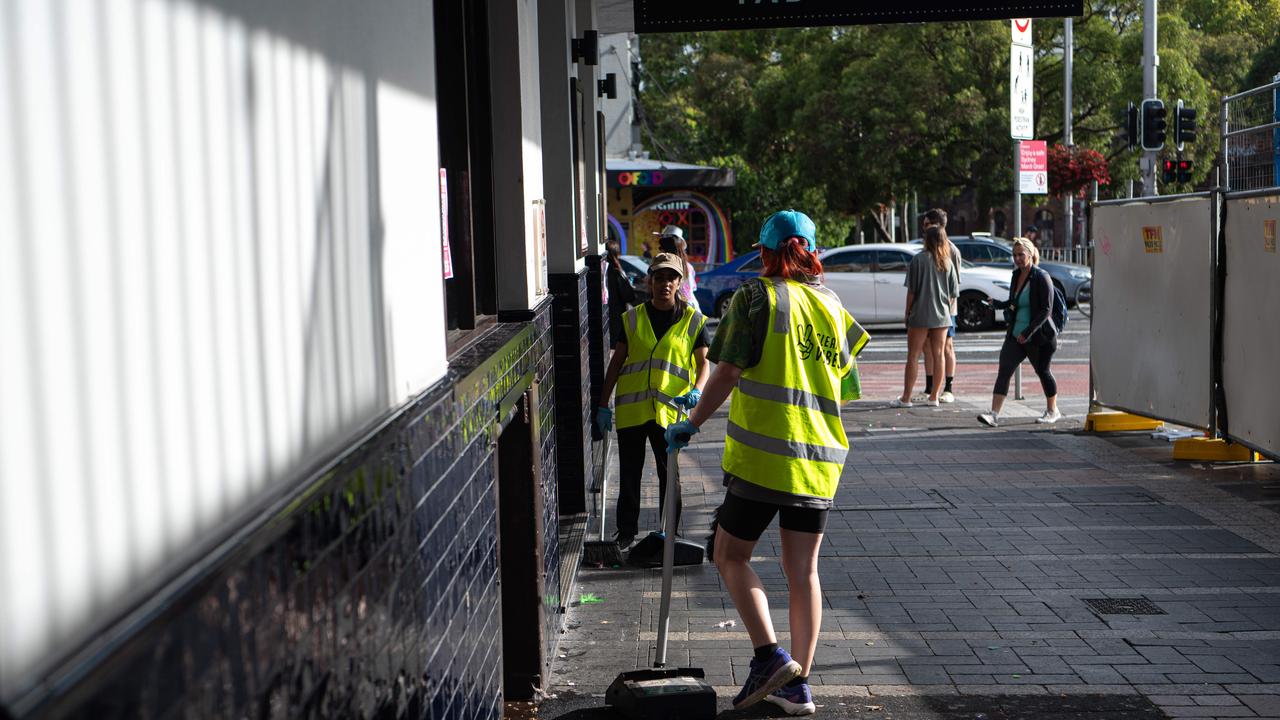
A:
787, 352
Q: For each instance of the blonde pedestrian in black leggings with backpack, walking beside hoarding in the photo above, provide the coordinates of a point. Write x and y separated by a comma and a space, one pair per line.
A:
1032, 331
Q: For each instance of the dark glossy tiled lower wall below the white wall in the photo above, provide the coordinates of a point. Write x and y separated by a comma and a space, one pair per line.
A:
371, 591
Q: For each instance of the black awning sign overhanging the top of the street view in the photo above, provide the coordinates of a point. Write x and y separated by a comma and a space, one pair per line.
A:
682, 16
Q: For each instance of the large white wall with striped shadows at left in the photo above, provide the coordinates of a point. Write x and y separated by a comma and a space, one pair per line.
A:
220, 258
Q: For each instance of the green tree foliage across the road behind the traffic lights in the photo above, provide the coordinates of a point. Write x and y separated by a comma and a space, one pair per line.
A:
836, 121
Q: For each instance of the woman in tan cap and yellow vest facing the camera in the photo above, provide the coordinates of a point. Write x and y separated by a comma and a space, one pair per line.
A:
659, 367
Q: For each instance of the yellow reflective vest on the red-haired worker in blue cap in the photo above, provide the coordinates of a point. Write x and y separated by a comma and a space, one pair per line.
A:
784, 423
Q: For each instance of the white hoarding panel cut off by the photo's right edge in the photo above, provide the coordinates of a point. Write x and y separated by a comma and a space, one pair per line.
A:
1251, 343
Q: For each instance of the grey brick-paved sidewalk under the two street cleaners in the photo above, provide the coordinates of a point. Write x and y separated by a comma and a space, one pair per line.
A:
966, 572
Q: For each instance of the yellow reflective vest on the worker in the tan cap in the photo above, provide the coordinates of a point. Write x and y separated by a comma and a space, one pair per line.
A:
656, 371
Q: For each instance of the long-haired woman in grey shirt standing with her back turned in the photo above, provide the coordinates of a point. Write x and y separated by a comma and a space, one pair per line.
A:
932, 286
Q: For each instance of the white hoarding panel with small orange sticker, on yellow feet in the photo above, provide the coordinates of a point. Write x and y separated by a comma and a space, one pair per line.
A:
1150, 343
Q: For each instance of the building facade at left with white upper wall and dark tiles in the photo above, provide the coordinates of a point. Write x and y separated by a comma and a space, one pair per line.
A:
308, 300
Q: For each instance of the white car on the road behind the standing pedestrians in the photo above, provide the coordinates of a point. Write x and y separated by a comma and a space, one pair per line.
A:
871, 282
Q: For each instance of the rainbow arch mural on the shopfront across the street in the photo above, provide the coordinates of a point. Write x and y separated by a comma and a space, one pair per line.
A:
666, 208
